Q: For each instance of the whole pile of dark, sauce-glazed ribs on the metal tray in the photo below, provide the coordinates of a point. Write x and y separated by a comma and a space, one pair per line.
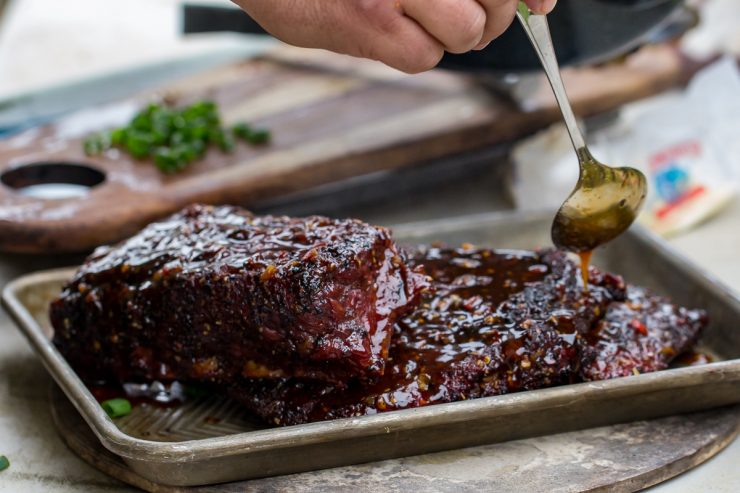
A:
312, 319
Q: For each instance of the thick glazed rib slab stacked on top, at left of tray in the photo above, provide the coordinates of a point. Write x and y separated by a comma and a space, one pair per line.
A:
215, 293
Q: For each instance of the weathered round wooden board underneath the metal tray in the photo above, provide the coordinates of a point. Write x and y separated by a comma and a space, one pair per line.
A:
619, 458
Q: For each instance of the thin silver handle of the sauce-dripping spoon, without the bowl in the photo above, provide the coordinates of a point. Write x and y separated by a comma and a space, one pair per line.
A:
539, 34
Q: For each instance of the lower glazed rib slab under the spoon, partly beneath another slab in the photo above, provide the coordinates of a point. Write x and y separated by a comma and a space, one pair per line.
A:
498, 322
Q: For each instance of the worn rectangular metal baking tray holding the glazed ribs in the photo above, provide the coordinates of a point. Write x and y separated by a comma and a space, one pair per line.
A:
211, 440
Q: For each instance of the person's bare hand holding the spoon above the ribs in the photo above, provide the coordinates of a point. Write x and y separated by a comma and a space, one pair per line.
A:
410, 35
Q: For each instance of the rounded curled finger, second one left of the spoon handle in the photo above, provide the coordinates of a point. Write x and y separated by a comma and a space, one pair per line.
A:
458, 25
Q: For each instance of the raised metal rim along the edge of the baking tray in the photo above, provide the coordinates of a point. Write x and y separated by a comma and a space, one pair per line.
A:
130, 447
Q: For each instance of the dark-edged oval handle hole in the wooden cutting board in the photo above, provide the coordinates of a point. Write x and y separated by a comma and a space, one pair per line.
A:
52, 180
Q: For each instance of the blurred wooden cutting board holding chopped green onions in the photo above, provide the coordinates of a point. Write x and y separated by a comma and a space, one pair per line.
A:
332, 117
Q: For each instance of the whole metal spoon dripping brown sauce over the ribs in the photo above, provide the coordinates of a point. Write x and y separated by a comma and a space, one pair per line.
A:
605, 200
